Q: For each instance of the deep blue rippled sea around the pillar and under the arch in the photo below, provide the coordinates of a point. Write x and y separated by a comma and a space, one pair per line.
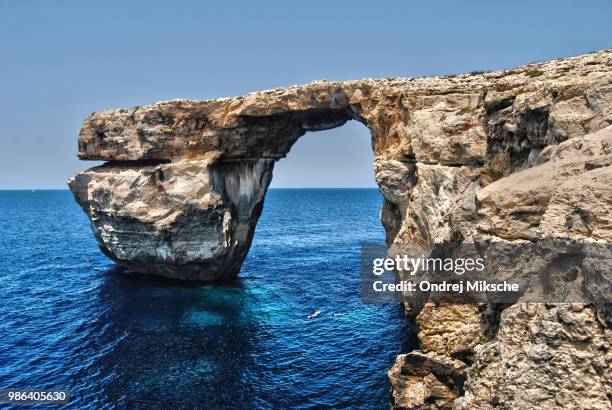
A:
70, 319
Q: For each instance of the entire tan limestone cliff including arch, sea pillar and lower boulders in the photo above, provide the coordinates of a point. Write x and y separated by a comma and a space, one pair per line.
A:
521, 154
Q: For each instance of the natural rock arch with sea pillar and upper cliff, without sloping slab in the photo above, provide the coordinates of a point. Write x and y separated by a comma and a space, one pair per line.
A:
186, 180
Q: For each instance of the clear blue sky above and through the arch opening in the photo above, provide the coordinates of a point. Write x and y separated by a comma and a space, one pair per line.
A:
61, 60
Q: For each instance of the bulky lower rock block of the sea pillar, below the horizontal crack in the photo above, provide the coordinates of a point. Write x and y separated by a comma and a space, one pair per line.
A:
188, 219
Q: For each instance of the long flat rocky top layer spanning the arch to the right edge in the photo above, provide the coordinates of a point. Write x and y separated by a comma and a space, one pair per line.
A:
188, 129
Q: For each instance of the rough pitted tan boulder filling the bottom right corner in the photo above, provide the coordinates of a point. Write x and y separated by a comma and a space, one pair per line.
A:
545, 357
